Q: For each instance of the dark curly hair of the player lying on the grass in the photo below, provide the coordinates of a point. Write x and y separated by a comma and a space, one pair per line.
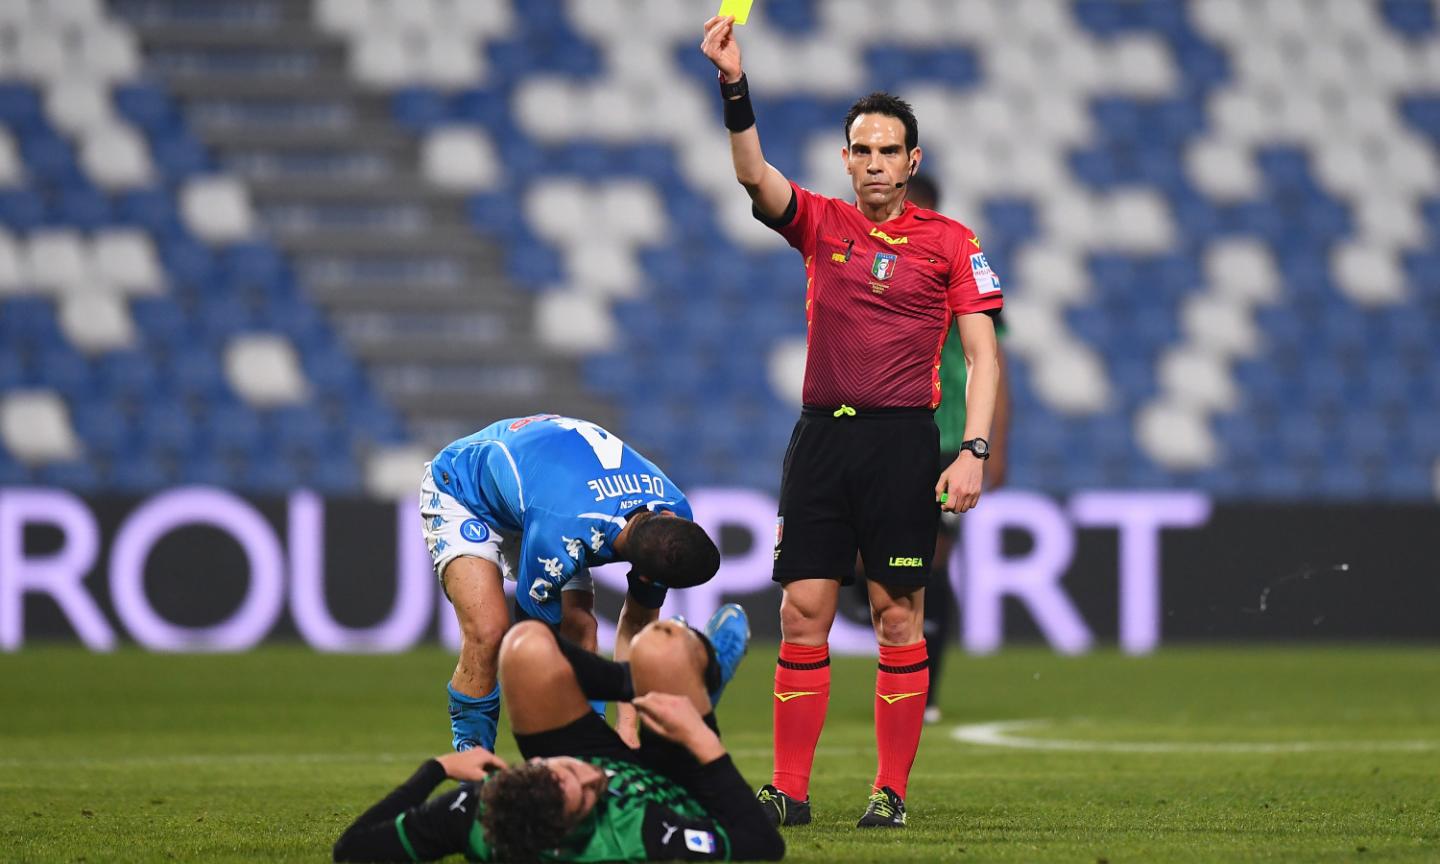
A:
525, 813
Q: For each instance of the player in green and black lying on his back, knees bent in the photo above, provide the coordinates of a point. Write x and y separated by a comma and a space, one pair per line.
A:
585, 796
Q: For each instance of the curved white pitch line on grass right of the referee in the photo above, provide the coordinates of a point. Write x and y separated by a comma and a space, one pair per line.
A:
1006, 735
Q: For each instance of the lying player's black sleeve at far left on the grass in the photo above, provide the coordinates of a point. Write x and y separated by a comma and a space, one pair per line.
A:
407, 827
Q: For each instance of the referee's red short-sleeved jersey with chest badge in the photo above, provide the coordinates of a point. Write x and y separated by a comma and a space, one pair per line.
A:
879, 299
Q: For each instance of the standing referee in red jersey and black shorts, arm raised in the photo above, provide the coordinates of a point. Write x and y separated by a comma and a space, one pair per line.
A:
863, 470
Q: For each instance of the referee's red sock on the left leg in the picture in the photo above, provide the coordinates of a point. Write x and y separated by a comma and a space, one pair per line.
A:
801, 698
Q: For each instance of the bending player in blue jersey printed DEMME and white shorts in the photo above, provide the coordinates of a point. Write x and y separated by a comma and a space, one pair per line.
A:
541, 500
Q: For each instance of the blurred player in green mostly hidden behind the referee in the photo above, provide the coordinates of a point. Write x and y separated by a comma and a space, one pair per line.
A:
950, 417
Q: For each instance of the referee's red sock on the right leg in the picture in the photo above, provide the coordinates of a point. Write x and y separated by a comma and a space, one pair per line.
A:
901, 688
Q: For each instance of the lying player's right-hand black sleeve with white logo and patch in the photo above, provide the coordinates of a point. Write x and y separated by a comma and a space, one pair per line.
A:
737, 830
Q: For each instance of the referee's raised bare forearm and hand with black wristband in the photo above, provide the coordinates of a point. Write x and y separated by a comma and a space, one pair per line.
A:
768, 188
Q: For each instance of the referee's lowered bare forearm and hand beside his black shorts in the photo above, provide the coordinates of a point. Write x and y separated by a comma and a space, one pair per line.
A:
960, 486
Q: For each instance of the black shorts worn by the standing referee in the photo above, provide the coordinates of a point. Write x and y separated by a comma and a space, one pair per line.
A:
866, 485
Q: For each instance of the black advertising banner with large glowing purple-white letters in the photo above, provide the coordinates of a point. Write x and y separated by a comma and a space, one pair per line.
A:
202, 570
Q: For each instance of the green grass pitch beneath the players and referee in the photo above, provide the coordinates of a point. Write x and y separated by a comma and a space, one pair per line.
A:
1192, 755
